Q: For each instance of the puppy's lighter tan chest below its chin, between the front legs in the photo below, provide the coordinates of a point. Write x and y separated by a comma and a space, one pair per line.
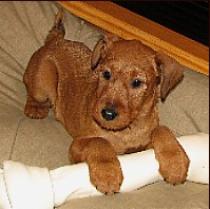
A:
133, 139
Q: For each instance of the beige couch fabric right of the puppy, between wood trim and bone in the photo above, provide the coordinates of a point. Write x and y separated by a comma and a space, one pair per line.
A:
186, 110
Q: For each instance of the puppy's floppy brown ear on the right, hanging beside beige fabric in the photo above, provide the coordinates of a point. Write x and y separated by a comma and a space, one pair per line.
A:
170, 73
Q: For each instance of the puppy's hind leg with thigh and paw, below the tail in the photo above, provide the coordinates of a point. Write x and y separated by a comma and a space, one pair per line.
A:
40, 80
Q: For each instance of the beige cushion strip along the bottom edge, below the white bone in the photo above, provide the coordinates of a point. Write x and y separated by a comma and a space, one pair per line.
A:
156, 196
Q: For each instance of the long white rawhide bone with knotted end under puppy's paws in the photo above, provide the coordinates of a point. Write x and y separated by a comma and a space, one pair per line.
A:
24, 187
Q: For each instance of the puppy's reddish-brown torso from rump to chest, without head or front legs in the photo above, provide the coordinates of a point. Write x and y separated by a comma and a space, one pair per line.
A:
73, 94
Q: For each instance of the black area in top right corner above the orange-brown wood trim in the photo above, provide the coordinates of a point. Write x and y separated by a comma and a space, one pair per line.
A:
189, 18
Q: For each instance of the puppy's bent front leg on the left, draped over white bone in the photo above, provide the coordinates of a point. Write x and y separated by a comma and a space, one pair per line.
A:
104, 166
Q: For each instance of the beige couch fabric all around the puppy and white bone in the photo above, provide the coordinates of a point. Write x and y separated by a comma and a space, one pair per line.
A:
24, 26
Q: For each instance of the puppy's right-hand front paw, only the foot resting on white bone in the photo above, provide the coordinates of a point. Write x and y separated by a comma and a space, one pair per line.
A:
173, 166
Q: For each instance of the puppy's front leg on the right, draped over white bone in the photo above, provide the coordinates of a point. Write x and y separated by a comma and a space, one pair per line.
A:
172, 158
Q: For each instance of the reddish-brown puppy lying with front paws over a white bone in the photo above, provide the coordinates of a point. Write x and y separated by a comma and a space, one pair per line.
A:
106, 100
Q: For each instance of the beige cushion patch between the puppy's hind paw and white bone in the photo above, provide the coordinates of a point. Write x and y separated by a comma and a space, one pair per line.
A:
42, 143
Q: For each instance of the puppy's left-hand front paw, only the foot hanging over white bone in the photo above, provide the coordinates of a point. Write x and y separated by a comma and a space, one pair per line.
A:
106, 175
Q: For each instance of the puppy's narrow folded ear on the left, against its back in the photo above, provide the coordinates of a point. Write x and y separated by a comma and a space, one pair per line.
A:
101, 48
